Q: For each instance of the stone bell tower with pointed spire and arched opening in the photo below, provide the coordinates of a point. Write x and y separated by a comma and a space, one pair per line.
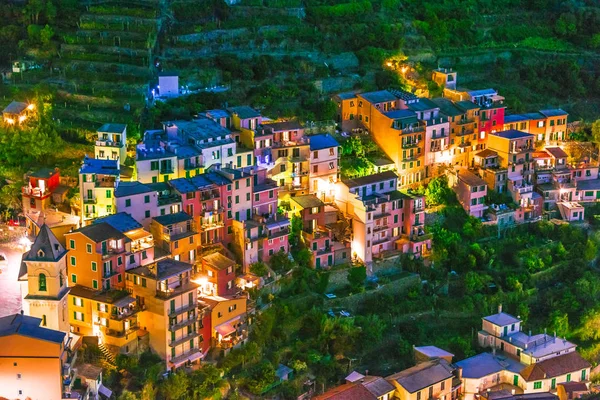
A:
43, 277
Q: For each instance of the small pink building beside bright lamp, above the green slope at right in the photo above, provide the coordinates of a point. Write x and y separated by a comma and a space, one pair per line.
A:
470, 190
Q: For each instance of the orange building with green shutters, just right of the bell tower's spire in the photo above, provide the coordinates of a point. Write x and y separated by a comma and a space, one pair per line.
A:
97, 256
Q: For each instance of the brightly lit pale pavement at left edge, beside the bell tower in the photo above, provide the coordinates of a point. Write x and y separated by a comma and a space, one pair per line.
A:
10, 292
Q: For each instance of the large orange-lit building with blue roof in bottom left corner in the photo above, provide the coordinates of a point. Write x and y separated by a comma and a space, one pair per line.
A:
33, 360
